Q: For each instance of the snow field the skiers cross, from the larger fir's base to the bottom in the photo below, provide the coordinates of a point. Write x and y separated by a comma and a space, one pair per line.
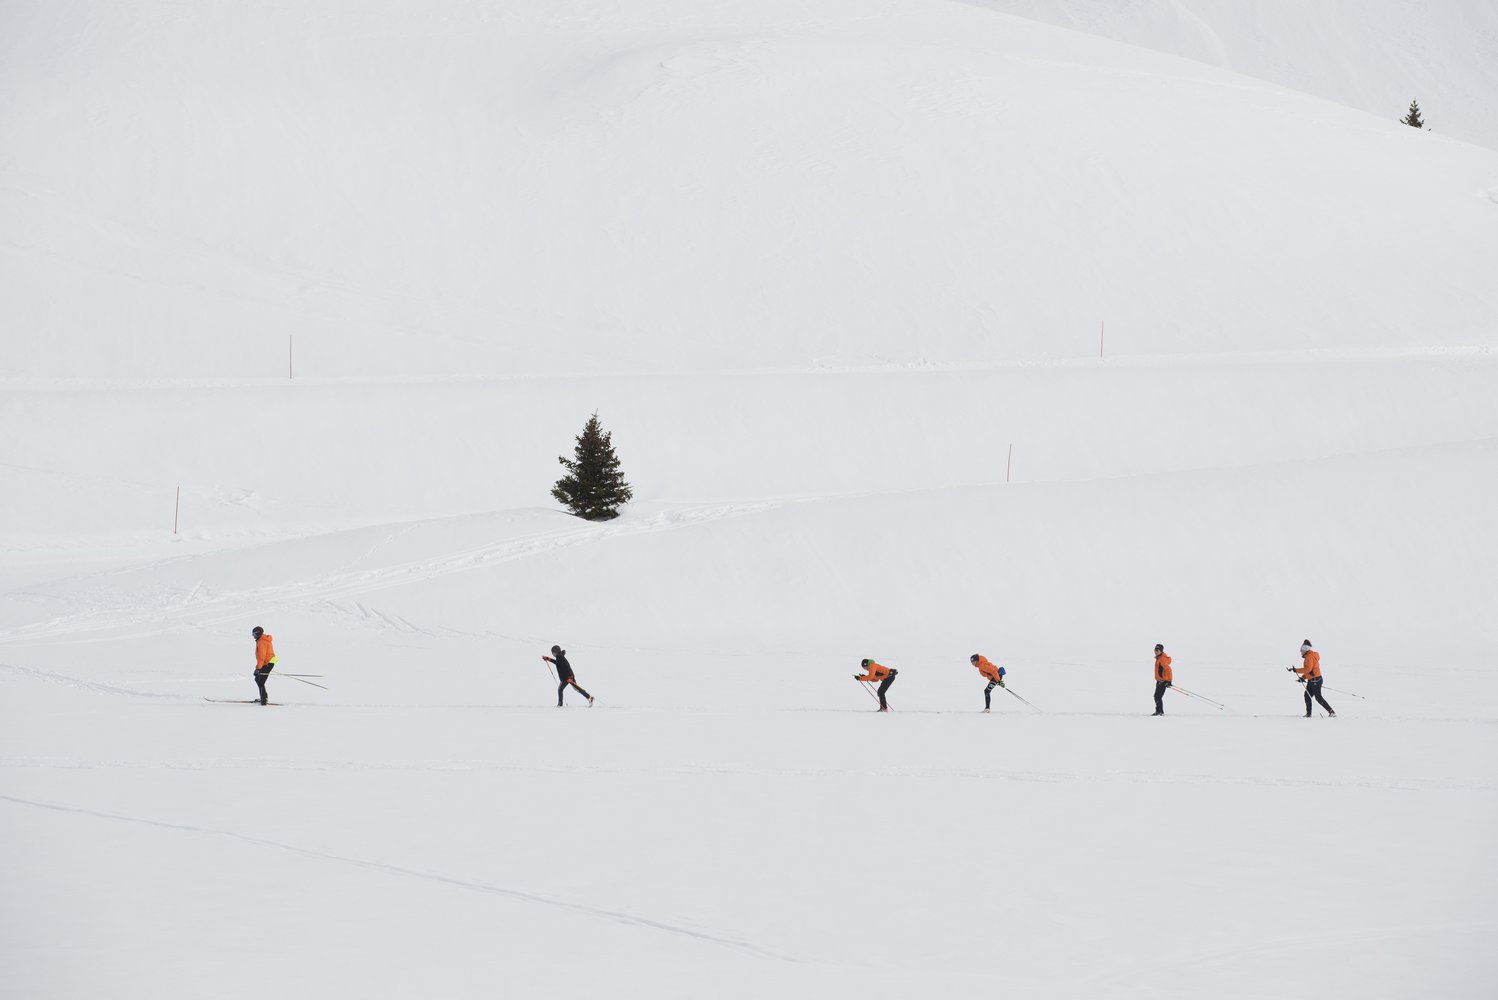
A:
733, 815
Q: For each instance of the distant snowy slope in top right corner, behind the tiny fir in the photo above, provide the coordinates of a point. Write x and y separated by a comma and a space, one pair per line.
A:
1370, 55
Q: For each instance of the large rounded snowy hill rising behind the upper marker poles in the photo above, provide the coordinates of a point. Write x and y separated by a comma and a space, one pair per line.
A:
691, 186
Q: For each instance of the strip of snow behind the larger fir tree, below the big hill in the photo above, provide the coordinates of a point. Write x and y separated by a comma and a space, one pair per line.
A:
260, 459
